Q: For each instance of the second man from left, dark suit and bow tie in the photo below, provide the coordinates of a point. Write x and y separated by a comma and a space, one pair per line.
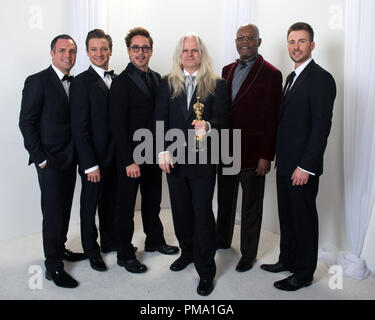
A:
95, 147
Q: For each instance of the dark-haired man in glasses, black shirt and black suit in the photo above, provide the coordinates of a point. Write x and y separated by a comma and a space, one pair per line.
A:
132, 101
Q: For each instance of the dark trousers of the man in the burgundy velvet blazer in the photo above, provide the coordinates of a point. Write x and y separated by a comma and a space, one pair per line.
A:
251, 213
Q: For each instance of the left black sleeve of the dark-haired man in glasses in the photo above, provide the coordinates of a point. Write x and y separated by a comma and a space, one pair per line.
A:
119, 117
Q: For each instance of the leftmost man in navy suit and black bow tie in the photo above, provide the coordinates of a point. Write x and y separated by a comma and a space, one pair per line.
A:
45, 126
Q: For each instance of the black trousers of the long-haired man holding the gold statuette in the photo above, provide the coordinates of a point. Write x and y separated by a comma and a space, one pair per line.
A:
194, 221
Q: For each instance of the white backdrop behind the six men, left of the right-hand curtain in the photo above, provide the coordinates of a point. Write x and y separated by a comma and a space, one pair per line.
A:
33, 24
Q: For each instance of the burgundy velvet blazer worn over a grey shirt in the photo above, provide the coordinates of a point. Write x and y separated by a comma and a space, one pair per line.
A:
255, 110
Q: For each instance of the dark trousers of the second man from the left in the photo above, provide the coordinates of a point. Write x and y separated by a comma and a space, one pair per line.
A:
101, 197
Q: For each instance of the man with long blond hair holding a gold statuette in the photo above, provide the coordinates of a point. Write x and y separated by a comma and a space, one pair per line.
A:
191, 186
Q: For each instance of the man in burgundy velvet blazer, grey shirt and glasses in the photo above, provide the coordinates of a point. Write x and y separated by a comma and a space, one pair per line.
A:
255, 87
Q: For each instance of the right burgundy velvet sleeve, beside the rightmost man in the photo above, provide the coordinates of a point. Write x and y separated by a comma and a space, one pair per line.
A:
271, 110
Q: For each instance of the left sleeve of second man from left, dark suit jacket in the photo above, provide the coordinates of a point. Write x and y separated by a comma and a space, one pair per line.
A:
80, 120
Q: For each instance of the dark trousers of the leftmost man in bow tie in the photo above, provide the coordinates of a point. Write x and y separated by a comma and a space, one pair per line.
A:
57, 189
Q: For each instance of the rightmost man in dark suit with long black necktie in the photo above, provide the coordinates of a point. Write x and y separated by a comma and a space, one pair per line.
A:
304, 126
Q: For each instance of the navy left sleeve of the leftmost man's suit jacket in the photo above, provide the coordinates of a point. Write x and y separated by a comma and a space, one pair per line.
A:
30, 115
